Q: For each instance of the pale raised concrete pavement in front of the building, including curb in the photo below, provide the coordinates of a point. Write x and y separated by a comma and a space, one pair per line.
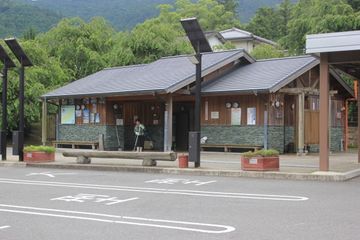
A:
343, 166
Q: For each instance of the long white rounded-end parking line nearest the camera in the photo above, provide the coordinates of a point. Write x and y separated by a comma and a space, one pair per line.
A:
106, 218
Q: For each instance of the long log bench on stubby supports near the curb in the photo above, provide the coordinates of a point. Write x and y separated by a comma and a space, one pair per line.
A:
149, 158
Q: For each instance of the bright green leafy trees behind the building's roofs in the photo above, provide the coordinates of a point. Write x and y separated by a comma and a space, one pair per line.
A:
75, 48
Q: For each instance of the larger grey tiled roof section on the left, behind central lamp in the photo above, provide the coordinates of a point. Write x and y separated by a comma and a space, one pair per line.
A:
165, 75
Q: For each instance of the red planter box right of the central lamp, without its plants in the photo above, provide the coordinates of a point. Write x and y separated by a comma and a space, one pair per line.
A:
260, 164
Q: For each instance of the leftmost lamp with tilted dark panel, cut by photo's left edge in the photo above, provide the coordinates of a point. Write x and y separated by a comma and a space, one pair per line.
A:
8, 63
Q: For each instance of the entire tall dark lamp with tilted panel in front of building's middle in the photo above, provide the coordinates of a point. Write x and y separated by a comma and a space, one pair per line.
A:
200, 44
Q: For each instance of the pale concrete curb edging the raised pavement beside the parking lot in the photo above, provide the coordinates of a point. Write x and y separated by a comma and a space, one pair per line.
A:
316, 176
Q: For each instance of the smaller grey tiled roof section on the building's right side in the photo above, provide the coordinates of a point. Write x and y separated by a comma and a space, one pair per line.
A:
262, 76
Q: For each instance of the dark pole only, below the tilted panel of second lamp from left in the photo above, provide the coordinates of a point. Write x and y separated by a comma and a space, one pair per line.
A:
21, 112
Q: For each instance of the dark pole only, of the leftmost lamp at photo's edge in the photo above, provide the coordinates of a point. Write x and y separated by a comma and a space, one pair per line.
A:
4, 115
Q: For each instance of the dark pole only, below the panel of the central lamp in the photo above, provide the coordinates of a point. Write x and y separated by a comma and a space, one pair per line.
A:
198, 106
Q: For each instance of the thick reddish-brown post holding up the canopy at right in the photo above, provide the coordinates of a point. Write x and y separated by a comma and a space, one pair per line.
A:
324, 113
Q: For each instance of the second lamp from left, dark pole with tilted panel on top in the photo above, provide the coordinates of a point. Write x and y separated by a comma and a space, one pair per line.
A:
18, 136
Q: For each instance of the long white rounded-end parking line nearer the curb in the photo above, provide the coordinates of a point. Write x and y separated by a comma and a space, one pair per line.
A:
158, 190
